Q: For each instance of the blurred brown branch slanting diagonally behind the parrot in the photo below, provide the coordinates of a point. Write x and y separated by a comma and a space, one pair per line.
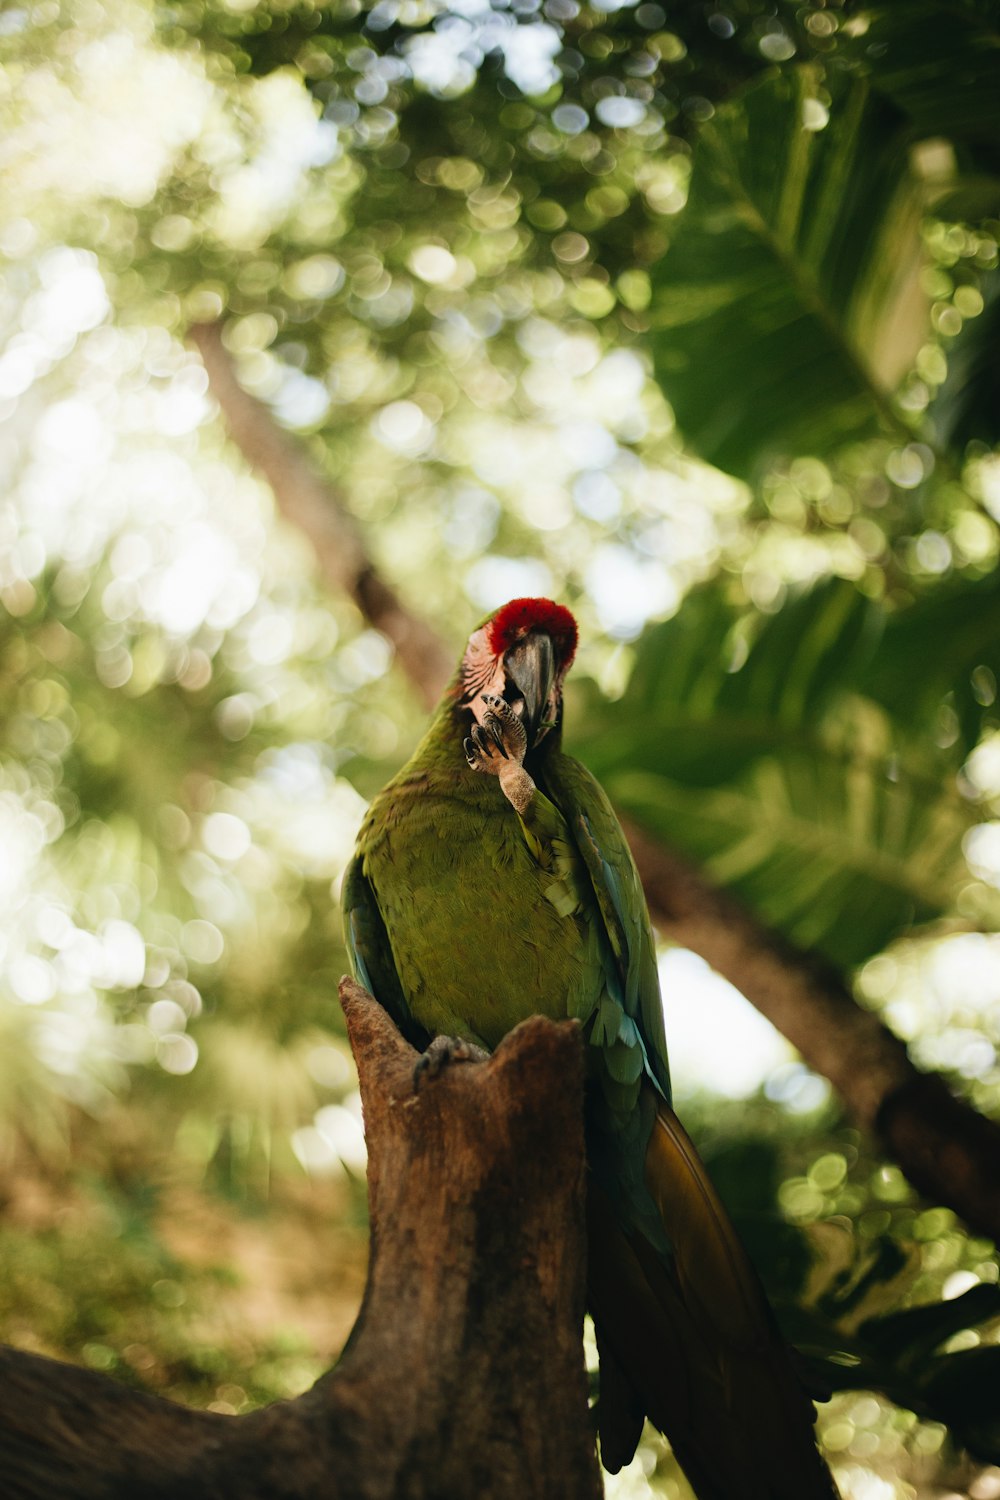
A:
947, 1150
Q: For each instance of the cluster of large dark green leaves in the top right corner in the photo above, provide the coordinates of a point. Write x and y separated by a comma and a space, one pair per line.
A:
788, 307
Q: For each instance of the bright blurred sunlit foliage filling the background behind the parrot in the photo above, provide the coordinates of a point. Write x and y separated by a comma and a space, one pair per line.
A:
434, 238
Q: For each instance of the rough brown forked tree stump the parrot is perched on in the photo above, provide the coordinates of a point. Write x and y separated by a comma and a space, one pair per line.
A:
464, 1375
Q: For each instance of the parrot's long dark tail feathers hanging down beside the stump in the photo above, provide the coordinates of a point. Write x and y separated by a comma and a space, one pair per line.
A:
695, 1339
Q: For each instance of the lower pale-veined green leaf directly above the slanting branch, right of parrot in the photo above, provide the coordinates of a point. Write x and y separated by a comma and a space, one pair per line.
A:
827, 848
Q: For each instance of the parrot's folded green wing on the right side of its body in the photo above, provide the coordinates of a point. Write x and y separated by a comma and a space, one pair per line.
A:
611, 868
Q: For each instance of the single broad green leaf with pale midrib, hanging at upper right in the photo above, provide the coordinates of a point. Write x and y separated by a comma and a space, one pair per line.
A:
774, 308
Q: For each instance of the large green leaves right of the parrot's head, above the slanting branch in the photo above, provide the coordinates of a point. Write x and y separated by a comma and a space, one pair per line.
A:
801, 764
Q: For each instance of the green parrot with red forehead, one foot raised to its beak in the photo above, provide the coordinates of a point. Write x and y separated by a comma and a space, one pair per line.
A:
493, 881
